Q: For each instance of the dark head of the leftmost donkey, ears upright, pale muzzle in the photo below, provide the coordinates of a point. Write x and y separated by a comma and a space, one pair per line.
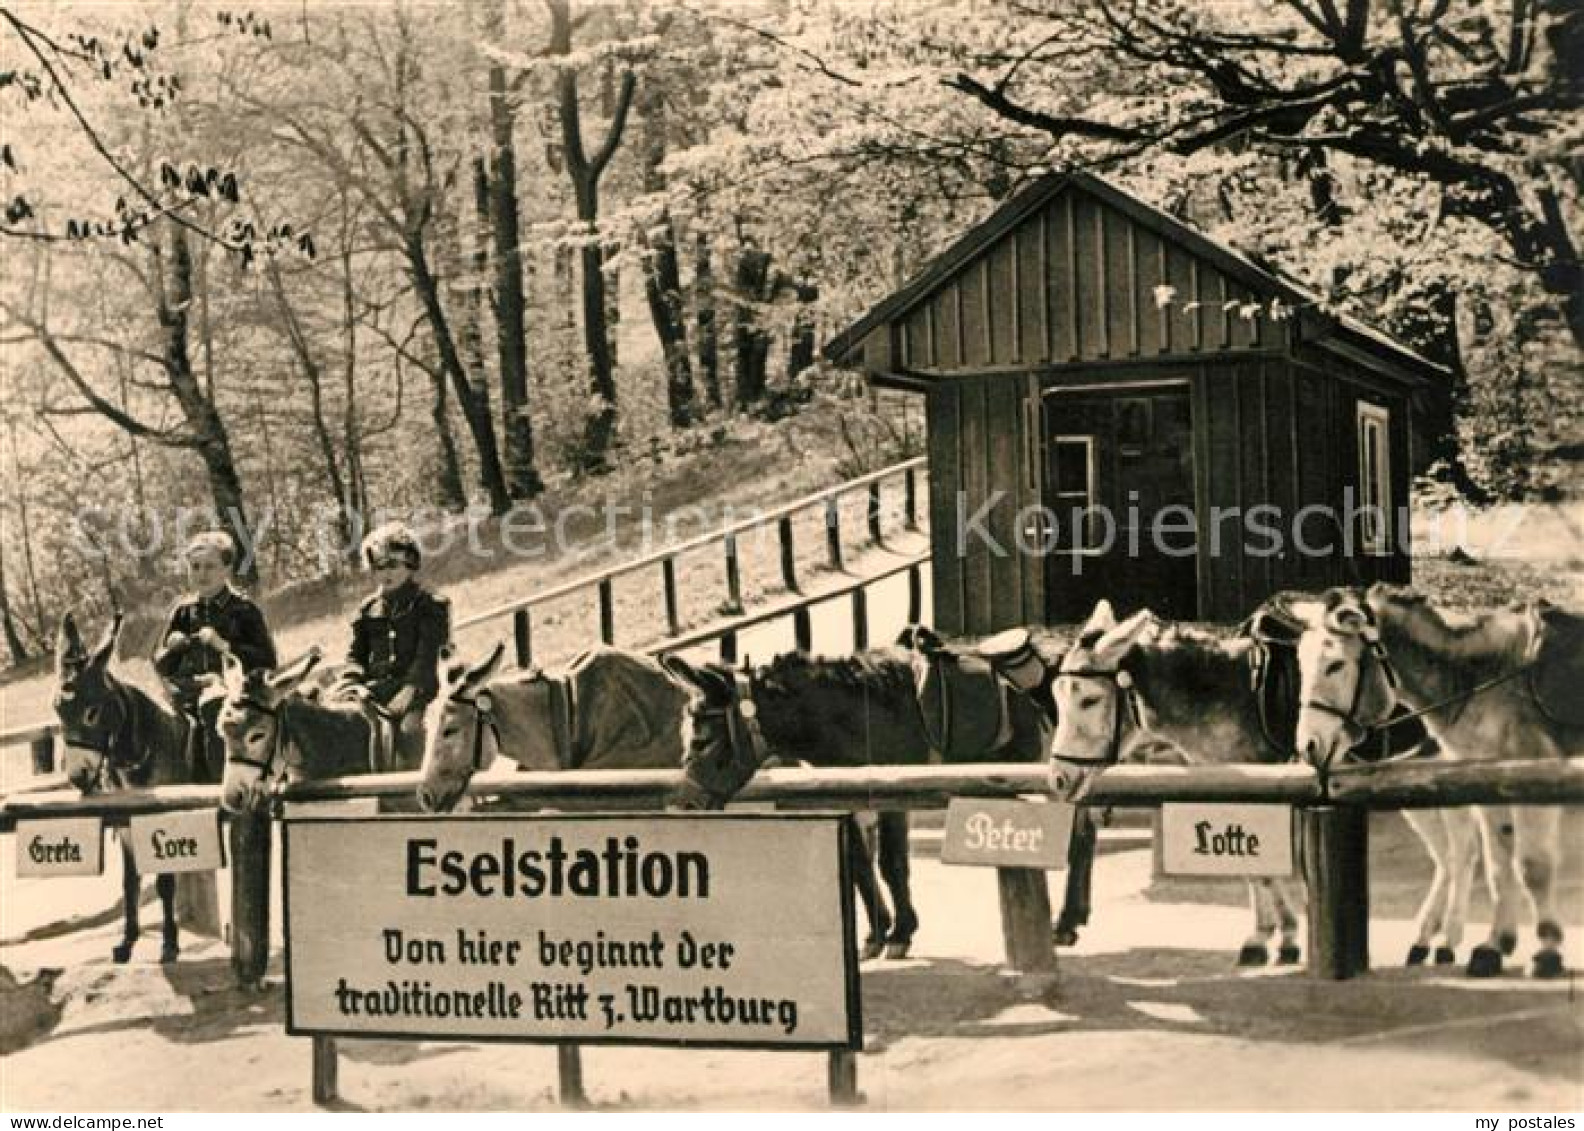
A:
91, 706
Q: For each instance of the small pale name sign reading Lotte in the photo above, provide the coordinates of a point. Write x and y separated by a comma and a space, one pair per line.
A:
1227, 840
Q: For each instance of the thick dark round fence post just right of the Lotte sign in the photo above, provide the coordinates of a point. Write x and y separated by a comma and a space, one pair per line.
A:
1336, 855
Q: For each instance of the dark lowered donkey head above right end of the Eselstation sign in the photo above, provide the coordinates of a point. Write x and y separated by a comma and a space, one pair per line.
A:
722, 742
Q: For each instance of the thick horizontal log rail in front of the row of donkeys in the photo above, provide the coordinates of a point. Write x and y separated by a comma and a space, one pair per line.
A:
913, 786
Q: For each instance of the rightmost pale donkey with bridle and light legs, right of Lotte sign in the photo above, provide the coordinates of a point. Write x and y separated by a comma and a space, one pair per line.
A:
1502, 685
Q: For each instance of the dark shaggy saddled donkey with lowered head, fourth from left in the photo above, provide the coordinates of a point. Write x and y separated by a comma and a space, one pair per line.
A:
834, 712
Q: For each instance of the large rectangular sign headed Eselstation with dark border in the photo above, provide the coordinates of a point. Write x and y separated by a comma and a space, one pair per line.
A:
666, 929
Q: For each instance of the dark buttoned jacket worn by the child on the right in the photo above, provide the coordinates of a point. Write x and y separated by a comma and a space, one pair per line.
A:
397, 642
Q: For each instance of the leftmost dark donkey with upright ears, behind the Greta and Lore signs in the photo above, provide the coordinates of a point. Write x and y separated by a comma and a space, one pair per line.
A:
120, 737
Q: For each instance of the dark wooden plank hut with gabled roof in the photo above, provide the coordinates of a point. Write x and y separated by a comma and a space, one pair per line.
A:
1084, 354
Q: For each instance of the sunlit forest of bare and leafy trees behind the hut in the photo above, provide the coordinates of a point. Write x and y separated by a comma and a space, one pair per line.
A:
302, 264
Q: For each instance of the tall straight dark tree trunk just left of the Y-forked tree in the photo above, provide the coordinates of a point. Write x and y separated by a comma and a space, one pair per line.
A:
522, 476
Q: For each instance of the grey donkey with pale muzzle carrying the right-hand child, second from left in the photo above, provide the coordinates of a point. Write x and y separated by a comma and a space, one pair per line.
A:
275, 733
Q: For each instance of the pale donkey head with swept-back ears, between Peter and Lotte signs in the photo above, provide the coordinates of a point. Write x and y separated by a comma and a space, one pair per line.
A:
1091, 687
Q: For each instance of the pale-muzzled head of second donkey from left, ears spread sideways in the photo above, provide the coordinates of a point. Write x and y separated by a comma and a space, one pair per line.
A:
253, 729
